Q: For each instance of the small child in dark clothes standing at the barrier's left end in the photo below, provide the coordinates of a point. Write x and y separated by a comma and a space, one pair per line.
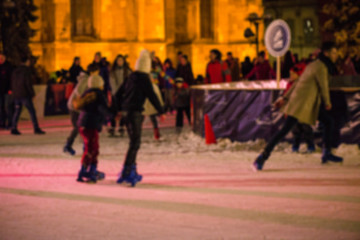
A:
181, 103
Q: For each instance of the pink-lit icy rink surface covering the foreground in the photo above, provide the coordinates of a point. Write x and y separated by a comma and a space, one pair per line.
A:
190, 190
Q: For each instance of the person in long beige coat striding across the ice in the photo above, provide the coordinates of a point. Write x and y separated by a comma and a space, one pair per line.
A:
307, 100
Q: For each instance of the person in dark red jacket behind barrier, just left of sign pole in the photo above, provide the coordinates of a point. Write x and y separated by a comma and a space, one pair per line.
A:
262, 69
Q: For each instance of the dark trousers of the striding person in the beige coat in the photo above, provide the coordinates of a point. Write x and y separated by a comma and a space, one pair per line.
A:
290, 122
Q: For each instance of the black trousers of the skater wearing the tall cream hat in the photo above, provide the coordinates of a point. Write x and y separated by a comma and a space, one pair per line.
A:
133, 121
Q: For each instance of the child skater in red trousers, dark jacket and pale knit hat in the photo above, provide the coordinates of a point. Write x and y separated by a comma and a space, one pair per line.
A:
93, 107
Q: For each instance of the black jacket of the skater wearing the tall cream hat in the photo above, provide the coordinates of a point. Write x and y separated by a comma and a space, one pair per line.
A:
136, 88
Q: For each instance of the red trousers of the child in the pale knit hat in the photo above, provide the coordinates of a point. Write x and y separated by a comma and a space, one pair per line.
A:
91, 146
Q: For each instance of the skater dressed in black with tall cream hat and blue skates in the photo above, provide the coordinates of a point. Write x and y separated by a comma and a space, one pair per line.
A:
136, 89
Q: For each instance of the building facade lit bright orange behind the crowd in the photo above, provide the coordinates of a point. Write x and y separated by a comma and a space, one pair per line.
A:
69, 28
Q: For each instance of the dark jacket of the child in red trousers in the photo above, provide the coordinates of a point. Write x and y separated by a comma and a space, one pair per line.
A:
92, 115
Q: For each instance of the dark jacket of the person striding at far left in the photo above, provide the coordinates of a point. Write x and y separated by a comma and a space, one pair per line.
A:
21, 83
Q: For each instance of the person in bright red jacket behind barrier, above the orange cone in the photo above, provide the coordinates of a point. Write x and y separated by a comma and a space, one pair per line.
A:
217, 71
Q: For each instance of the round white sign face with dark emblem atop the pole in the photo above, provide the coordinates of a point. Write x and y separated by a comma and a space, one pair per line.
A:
277, 38
